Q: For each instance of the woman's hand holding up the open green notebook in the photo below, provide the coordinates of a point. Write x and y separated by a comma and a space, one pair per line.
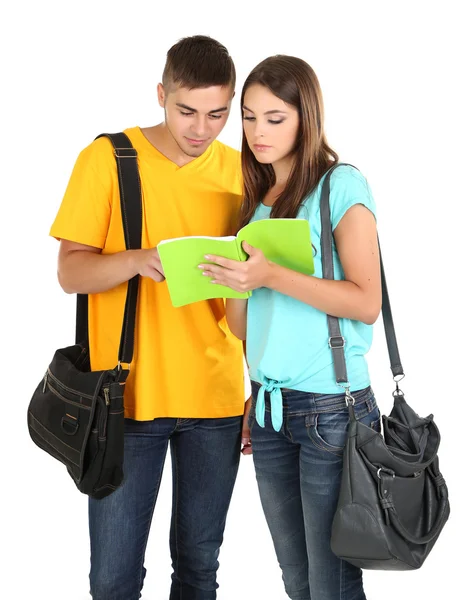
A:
246, 276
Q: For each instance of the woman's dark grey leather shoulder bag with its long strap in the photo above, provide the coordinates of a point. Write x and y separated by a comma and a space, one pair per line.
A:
393, 501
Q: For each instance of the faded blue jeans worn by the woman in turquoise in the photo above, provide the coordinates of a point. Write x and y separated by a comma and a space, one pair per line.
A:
298, 471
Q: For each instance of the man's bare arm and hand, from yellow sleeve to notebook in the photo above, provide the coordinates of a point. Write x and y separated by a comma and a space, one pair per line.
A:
85, 270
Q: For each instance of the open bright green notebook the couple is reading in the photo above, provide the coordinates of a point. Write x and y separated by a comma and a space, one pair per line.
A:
283, 241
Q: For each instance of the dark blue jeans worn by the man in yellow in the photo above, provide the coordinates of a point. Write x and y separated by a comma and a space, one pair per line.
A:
205, 458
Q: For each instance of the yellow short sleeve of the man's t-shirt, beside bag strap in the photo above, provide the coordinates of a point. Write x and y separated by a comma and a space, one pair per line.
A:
85, 211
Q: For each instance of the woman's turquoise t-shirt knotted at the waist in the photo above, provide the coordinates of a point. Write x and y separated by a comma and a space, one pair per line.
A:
287, 340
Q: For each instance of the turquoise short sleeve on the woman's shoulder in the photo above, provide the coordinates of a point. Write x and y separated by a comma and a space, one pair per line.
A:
347, 188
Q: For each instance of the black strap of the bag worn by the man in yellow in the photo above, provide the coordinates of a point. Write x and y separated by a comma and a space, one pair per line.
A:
131, 211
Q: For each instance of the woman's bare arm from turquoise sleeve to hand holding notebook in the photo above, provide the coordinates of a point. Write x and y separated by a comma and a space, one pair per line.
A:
358, 297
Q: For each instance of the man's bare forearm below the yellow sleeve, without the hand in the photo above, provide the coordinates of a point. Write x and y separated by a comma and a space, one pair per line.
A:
85, 272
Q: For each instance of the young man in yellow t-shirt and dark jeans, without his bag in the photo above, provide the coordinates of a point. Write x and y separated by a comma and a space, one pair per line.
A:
186, 386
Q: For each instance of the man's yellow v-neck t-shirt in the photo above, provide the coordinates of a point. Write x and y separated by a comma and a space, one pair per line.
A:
186, 364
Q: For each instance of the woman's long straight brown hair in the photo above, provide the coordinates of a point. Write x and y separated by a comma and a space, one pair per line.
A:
292, 80
